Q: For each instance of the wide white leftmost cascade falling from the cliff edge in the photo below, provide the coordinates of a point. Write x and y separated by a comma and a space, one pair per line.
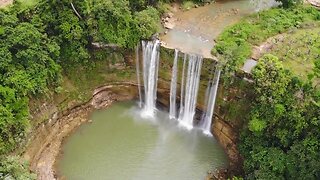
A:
150, 75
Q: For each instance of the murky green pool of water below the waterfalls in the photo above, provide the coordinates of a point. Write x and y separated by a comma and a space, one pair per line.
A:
121, 145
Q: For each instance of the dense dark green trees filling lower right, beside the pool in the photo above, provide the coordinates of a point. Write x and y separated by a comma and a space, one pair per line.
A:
282, 138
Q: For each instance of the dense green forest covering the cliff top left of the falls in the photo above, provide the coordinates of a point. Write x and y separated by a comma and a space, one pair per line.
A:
42, 42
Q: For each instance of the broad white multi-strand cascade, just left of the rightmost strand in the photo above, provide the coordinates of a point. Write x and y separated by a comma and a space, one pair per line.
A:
191, 91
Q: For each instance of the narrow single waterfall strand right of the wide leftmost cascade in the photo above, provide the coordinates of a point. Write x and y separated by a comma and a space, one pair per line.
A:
173, 87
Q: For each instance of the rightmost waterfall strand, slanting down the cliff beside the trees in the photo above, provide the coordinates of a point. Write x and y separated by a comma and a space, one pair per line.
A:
210, 102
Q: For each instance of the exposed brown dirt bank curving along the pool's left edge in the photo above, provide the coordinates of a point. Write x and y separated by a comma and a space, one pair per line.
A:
45, 142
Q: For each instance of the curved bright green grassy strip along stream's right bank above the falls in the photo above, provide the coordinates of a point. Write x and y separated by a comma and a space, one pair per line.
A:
234, 45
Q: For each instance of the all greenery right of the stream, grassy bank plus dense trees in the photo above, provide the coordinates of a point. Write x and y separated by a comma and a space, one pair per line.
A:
280, 137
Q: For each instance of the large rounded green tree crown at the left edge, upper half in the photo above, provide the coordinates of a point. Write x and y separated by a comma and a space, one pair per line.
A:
29, 59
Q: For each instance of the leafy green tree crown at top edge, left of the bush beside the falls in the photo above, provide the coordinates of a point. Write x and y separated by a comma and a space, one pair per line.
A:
112, 22
